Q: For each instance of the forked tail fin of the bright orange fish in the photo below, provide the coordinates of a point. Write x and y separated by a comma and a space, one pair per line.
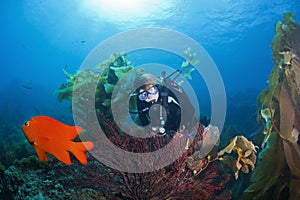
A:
78, 149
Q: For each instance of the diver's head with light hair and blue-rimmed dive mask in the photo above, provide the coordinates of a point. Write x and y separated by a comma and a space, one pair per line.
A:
146, 85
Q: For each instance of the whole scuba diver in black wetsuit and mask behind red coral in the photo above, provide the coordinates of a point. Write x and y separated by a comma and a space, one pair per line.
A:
162, 105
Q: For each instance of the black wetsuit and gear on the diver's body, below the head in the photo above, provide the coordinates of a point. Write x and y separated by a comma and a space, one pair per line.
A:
178, 110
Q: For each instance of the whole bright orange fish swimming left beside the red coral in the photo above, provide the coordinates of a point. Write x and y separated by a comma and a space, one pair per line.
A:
48, 135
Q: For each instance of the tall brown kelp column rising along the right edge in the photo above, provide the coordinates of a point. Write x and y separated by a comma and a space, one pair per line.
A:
277, 175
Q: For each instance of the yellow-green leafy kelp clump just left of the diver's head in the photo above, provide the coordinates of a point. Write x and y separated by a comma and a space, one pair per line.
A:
105, 75
